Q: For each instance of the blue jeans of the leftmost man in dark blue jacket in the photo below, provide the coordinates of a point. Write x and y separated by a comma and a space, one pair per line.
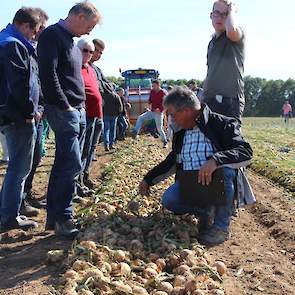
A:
20, 142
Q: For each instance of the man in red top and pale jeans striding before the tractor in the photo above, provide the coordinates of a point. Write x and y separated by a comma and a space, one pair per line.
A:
156, 113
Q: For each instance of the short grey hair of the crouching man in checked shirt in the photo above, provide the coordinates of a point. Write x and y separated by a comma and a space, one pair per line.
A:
182, 97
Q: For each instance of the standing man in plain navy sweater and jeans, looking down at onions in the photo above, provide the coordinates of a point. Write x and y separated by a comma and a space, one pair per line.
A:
60, 63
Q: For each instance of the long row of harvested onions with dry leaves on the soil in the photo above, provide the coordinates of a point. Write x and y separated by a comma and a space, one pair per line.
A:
129, 244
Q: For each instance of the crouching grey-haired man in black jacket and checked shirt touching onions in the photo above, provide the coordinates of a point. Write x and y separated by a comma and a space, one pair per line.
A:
206, 142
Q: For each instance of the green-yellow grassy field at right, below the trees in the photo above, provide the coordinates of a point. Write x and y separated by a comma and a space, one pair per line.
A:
274, 148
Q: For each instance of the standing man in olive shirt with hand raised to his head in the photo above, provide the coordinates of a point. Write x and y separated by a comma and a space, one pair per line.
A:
224, 84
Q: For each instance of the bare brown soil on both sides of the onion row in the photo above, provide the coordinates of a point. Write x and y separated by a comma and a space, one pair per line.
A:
260, 255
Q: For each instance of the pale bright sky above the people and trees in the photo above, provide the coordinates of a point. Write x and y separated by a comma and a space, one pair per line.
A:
172, 35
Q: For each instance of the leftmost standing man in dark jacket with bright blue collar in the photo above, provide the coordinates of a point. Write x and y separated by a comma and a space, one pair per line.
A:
18, 104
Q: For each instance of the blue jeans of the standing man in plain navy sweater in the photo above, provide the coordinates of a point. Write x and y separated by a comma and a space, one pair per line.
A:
68, 129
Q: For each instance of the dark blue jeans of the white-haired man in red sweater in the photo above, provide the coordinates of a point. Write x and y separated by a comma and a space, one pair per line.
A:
94, 128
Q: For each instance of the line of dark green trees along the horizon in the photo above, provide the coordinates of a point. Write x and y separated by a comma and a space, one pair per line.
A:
264, 98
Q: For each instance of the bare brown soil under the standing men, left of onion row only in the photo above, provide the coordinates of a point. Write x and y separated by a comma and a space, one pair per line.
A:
23, 267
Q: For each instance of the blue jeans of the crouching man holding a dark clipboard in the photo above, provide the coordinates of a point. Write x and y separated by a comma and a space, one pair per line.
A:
172, 201
